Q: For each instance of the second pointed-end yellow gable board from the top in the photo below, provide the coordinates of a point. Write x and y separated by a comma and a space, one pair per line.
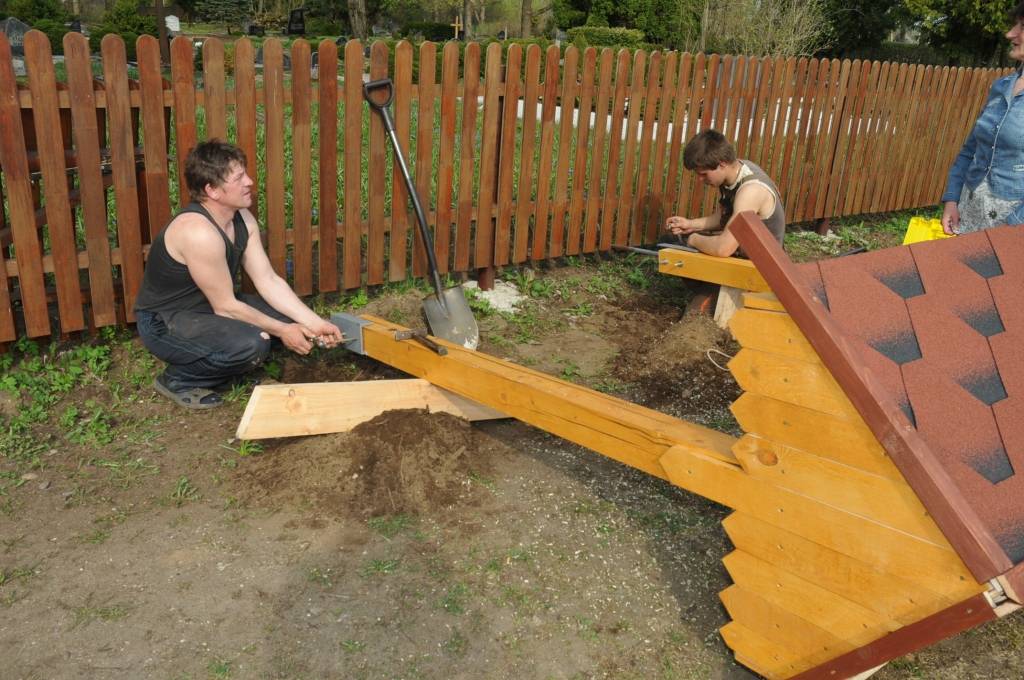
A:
804, 384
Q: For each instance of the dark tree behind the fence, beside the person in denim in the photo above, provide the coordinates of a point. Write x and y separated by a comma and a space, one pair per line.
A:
965, 30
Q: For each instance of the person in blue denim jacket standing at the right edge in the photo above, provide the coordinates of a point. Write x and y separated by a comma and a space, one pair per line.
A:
986, 187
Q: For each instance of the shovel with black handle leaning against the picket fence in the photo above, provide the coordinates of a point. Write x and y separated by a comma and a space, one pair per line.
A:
448, 312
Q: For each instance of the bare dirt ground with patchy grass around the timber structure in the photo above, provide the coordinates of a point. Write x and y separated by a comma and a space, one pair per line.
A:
142, 541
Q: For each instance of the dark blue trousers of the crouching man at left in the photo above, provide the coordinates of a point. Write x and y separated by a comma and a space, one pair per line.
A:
202, 350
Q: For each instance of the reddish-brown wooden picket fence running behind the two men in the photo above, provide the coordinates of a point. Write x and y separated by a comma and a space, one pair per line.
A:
516, 166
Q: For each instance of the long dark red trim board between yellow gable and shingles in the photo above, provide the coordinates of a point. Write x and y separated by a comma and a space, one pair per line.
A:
961, 525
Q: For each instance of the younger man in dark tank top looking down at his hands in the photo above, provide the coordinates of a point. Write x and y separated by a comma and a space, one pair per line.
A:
742, 186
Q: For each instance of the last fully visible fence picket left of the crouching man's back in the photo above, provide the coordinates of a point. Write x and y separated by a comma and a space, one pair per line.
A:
123, 167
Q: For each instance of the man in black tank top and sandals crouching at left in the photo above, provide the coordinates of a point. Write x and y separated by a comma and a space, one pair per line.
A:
188, 312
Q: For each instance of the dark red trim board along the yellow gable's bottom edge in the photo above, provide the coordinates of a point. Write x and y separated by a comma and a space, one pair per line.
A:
938, 627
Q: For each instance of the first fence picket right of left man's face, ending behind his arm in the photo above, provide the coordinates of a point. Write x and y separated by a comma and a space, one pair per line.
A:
274, 111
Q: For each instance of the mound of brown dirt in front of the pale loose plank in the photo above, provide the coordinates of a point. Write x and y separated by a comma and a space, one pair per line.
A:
401, 462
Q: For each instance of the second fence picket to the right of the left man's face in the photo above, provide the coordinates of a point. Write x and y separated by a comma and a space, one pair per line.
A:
303, 190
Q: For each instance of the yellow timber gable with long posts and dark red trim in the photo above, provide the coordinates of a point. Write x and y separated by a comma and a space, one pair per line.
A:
843, 559
